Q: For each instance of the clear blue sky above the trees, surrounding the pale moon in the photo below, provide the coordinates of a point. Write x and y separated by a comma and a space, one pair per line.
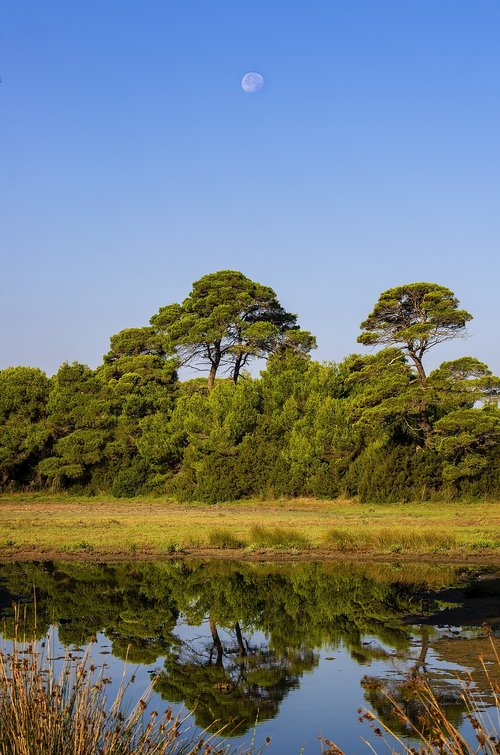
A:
132, 163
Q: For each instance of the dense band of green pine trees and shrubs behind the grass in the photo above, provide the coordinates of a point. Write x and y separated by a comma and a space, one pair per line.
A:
376, 426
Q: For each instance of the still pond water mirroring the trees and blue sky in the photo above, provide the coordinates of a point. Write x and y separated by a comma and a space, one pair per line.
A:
299, 648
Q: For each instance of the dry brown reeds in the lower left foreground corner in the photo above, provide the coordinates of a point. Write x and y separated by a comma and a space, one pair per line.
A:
44, 711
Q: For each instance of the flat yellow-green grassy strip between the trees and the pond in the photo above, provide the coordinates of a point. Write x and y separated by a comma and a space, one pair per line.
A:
59, 526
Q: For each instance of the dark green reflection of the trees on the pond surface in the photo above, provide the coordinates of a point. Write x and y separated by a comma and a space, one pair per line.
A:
262, 625
